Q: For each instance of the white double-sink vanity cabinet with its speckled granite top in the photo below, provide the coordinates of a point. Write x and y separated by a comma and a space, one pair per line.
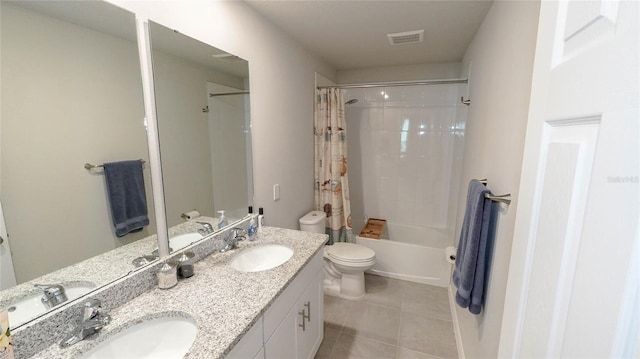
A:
274, 313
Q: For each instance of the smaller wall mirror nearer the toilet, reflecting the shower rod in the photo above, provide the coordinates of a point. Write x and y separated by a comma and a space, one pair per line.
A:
202, 101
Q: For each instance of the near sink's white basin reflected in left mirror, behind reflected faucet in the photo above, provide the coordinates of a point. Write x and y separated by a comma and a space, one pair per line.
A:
27, 308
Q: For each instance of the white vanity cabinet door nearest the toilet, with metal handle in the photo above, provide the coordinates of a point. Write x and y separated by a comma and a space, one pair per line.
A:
310, 324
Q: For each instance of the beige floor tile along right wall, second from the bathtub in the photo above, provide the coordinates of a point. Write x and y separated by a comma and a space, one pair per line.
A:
427, 335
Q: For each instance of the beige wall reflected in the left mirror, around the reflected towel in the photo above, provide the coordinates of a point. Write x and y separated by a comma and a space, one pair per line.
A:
70, 95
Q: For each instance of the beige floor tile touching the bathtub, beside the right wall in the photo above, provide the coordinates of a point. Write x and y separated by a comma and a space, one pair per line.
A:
426, 300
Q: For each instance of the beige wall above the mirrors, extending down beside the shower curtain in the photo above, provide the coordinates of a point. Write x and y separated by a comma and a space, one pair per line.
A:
282, 88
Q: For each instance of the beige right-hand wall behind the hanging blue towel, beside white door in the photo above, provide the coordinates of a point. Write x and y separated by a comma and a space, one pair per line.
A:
500, 59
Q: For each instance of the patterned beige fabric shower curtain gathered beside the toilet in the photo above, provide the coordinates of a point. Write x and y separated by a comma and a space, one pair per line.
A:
331, 181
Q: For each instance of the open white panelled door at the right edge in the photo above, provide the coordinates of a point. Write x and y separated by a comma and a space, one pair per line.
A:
573, 289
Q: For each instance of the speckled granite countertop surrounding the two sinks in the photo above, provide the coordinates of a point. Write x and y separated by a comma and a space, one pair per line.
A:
223, 302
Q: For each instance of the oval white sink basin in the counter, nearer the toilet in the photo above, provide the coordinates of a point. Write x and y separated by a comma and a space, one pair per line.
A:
263, 257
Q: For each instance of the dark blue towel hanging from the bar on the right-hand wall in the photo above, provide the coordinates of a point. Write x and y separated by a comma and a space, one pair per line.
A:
469, 272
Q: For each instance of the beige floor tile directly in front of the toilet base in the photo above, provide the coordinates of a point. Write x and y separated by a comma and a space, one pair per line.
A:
373, 321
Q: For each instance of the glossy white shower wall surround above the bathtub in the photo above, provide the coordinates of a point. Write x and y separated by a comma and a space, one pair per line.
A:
405, 147
